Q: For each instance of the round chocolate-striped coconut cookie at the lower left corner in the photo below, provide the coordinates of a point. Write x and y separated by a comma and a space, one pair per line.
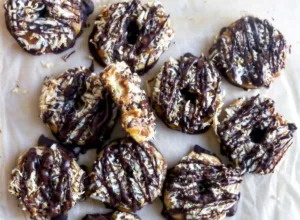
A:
47, 182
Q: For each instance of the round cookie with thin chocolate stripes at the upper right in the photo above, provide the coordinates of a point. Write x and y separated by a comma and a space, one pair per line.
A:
250, 53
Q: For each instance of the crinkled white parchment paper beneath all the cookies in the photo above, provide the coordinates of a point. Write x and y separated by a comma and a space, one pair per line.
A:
196, 23
